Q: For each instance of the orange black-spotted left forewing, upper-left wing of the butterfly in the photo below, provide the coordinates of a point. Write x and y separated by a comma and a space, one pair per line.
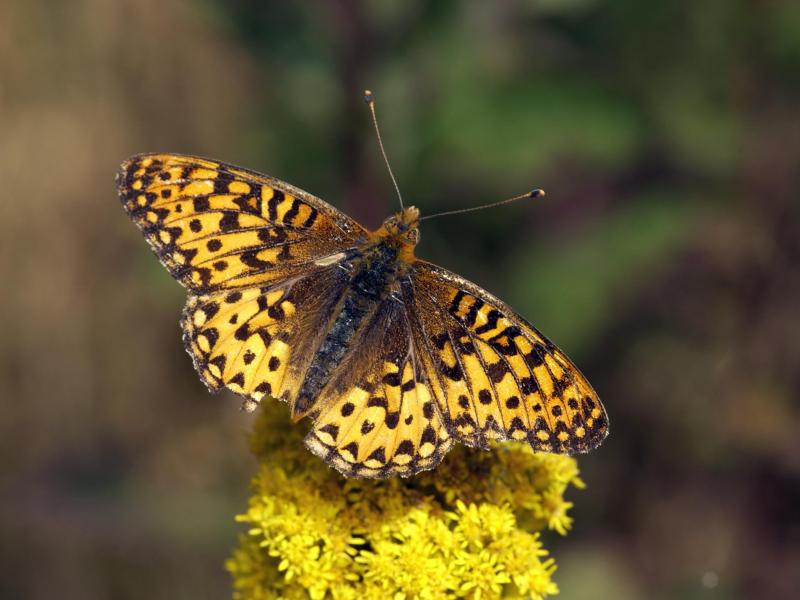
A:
216, 226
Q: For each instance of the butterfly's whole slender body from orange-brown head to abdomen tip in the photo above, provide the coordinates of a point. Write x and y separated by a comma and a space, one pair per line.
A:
372, 271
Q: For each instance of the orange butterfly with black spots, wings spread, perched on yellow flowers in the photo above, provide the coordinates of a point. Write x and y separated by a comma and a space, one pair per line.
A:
393, 359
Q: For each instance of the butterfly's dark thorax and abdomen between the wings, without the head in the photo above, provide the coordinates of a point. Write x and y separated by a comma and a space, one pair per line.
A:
372, 273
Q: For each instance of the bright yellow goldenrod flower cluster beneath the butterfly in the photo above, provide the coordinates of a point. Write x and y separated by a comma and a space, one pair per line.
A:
468, 529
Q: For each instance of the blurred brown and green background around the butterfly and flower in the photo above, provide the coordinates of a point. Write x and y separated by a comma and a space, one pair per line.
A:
665, 260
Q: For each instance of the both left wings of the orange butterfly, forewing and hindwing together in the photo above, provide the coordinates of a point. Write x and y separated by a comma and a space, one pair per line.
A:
258, 256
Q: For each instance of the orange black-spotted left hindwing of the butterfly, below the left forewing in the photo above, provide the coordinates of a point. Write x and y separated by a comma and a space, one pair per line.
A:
258, 341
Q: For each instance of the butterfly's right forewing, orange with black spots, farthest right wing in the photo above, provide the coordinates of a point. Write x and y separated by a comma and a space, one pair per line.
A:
495, 376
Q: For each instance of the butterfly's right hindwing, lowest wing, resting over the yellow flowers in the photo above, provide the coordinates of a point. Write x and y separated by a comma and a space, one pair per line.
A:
378, 416
